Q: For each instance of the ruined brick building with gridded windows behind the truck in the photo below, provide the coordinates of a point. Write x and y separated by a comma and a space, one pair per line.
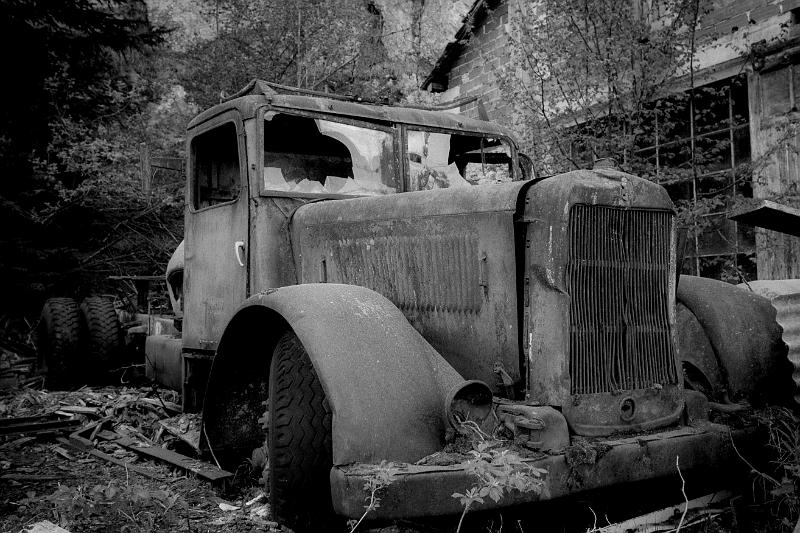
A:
747, 56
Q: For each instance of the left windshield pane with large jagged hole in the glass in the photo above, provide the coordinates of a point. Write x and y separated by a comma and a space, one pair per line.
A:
313, 156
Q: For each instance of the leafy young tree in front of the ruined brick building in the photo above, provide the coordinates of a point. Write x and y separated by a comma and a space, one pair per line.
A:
588, 72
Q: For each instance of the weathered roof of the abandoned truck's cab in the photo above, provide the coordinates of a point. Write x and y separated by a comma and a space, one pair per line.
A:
259, 92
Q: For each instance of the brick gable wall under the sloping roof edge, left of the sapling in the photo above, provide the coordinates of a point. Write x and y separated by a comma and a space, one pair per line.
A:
473, 70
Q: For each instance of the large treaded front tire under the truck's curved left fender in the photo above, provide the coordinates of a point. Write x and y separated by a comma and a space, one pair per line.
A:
299, 440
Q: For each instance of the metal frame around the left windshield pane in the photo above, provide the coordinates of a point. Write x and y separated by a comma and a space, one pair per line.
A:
392, 130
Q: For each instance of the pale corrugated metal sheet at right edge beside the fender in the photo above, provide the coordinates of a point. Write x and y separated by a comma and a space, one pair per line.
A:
784, 295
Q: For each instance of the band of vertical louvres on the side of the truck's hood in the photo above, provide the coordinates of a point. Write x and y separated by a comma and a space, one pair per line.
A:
432, 273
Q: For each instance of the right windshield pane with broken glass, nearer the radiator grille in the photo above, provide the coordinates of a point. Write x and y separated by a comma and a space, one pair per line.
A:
444, 160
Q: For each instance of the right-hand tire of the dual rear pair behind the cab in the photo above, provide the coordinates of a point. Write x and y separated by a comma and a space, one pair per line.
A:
103, 333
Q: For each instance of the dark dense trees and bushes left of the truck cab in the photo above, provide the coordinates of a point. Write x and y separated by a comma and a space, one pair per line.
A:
86, 92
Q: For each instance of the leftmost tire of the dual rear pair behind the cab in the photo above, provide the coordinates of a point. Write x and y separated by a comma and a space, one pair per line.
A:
58, 340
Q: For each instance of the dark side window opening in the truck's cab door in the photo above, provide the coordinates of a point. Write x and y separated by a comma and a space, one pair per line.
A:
215, 166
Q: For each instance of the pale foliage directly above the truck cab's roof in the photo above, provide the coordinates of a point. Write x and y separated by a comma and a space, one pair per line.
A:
325, 46
